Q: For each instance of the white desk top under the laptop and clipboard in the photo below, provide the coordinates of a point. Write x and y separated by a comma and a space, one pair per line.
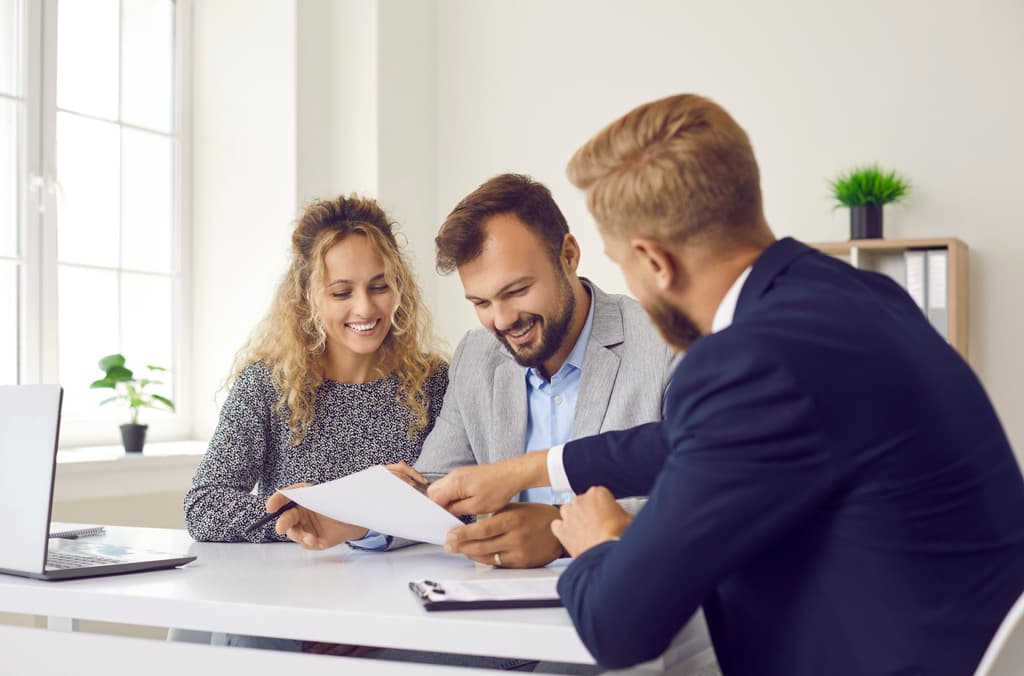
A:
339, 596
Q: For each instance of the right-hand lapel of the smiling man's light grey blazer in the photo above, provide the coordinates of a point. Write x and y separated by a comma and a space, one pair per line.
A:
601, 365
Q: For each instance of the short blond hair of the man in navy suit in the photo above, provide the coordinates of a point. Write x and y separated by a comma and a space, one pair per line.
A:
674, 168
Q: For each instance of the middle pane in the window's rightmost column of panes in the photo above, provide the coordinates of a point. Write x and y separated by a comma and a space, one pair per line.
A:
146, 201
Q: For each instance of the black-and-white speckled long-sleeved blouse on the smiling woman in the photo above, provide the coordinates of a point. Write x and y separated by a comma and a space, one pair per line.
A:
355, 427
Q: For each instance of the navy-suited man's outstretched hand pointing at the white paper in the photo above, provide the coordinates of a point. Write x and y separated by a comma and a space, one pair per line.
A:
489, 488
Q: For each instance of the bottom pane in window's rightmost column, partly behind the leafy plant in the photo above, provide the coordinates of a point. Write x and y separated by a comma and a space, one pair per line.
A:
147, 316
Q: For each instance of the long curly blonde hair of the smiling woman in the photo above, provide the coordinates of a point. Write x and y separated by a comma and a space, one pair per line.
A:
291, 341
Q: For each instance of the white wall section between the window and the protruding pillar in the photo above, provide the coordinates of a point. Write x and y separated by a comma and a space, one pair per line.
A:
244, 179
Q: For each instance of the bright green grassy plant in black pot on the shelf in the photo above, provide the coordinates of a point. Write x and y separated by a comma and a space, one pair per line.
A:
866, 191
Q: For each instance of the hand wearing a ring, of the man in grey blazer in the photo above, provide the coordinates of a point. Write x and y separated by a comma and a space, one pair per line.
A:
520, 534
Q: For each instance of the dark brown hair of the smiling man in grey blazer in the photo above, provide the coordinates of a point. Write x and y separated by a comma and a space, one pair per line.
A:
462, 235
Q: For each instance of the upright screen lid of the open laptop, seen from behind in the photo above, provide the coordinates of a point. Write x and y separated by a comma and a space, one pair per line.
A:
30, 420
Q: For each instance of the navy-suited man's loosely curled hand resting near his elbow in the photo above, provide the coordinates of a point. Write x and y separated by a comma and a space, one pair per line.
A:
592, 519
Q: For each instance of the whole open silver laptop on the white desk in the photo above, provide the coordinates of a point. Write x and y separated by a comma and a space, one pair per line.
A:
30, 424
